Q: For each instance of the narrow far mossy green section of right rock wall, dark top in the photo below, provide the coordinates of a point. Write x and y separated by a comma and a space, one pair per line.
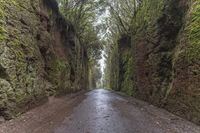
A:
126, 65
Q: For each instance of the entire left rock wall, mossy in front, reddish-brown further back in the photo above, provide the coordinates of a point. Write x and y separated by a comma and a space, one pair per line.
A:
37, 48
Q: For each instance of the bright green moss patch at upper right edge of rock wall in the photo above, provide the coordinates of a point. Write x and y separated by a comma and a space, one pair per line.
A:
193, 29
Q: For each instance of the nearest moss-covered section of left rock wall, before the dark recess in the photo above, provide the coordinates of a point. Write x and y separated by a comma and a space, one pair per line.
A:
20, 61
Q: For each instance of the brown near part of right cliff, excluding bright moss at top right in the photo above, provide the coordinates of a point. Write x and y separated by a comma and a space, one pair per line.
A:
166, 72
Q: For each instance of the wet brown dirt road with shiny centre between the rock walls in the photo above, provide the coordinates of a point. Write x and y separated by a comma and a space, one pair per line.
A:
98, 111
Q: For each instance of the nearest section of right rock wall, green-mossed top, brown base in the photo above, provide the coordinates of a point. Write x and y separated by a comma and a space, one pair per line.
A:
191, 55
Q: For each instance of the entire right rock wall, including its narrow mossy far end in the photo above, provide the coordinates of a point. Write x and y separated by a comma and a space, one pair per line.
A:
165, 57
